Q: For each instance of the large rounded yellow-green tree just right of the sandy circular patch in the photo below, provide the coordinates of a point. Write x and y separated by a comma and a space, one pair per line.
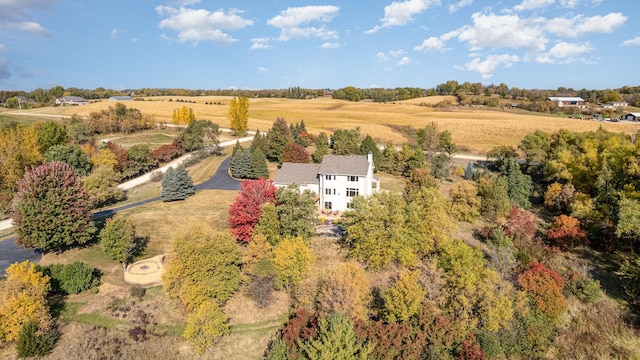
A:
203, 265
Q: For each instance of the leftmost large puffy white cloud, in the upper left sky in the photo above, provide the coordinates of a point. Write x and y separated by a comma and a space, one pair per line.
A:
195, 25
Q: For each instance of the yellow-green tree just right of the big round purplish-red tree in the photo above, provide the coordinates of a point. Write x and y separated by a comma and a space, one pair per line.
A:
102, 187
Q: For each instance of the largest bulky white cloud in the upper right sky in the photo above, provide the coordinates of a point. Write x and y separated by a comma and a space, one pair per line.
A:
503, 31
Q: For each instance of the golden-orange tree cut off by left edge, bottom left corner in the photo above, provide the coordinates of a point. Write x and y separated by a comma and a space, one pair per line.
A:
23, 298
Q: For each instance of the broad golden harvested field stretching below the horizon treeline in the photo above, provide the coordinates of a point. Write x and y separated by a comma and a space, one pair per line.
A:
477, 130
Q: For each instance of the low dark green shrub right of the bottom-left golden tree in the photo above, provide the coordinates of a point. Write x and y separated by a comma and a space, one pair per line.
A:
71, 278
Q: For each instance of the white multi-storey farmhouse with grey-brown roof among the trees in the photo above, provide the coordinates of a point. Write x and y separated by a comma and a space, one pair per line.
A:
335, 181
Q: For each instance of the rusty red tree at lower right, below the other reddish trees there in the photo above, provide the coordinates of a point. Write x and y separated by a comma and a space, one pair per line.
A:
545, 288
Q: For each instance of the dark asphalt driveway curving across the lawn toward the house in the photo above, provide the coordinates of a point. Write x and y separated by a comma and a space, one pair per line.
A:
10, 252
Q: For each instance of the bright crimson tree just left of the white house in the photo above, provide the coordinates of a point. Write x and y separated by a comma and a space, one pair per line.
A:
245, 210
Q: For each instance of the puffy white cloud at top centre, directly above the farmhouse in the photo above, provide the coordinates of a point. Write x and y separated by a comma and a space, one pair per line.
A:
290, 22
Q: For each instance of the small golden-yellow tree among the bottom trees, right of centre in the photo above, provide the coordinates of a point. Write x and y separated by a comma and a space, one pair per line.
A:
403, 299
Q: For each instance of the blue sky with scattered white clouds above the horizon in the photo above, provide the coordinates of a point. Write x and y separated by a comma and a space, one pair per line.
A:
267, 44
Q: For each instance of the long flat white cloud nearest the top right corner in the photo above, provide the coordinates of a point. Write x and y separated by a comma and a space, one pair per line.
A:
580, 25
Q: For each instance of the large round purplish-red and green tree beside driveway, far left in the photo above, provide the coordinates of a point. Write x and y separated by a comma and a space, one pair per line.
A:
51, 210
